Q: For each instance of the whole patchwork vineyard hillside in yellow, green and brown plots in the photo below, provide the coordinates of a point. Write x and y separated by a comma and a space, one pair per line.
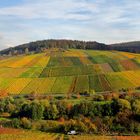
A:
72, 71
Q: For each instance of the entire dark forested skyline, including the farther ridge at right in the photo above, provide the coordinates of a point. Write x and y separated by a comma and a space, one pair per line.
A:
39, 46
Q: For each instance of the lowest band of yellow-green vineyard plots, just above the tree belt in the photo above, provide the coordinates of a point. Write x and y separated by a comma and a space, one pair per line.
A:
62, 84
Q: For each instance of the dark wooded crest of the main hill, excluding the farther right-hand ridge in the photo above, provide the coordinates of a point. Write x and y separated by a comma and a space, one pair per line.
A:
39, 46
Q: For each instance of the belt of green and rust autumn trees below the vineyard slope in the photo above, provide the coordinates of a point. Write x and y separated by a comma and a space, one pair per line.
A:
103, 114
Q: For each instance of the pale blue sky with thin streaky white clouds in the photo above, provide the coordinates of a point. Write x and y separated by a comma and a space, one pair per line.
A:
106, 21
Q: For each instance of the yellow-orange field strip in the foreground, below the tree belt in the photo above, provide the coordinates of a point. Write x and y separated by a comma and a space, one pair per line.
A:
15, 134
